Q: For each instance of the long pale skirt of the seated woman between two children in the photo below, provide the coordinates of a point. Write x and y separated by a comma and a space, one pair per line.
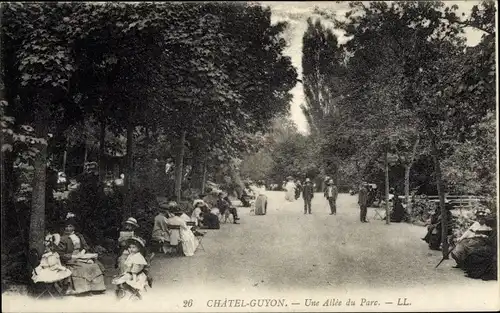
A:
86, 277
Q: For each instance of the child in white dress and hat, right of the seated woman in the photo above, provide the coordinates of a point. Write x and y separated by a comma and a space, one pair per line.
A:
132, 270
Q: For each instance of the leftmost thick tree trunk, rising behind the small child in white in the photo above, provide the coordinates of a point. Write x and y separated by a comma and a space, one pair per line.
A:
37, 216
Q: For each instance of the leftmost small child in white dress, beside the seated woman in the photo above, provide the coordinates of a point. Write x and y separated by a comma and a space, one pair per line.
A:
50, 269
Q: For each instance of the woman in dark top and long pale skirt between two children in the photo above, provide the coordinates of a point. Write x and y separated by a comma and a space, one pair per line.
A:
87, 272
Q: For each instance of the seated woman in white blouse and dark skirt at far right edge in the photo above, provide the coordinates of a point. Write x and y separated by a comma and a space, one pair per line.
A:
475, 237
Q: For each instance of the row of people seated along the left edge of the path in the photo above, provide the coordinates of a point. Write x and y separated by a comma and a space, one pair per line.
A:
73, 266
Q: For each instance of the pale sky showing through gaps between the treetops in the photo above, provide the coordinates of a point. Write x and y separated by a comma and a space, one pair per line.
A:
296, 14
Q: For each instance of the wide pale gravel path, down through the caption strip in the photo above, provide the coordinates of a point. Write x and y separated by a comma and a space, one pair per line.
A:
294, 256
